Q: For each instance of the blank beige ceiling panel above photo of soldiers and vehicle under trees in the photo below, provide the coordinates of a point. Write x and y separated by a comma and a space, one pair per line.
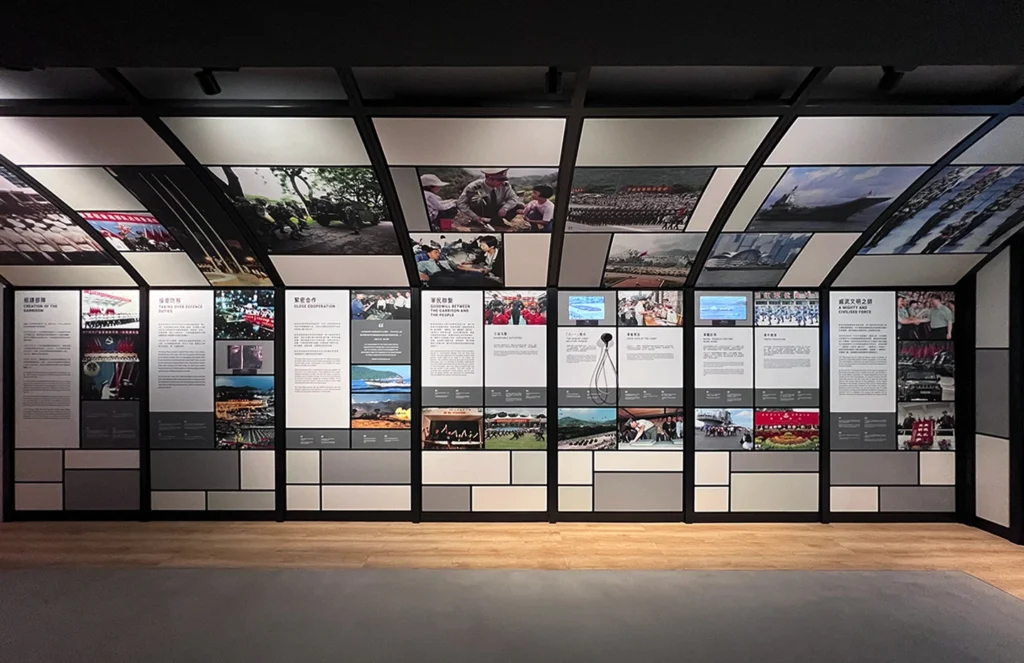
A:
278, 142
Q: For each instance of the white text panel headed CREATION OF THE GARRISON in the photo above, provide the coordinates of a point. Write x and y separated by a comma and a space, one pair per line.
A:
47, 369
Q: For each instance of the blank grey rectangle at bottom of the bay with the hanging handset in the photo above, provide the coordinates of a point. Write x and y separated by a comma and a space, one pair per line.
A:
638, 491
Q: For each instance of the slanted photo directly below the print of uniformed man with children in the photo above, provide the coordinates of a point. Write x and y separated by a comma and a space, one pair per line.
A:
459, 261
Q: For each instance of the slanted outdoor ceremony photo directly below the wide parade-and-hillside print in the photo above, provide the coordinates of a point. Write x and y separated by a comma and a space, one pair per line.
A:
651, 261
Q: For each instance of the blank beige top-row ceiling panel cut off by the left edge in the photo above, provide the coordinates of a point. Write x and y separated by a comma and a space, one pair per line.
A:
83, 142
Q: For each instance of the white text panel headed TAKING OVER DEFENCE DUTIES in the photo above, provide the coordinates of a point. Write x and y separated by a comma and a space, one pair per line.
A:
182, 351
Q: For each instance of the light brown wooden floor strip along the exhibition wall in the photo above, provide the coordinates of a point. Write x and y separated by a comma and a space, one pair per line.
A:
809, 547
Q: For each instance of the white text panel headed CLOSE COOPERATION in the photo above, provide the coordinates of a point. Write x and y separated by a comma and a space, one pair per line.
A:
317, 364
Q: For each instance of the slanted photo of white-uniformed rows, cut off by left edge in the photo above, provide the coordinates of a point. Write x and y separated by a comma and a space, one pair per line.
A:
33, 231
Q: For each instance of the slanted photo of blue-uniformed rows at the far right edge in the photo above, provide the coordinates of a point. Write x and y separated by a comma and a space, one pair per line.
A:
964, 210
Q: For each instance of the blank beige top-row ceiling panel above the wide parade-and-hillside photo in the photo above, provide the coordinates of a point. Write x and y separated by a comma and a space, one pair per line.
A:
675, 142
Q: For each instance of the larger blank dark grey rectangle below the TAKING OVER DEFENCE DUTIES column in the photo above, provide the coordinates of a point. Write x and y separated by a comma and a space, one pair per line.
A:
187, 471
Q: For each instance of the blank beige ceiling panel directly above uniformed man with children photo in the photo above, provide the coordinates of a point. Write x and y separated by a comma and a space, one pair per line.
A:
472, 142
